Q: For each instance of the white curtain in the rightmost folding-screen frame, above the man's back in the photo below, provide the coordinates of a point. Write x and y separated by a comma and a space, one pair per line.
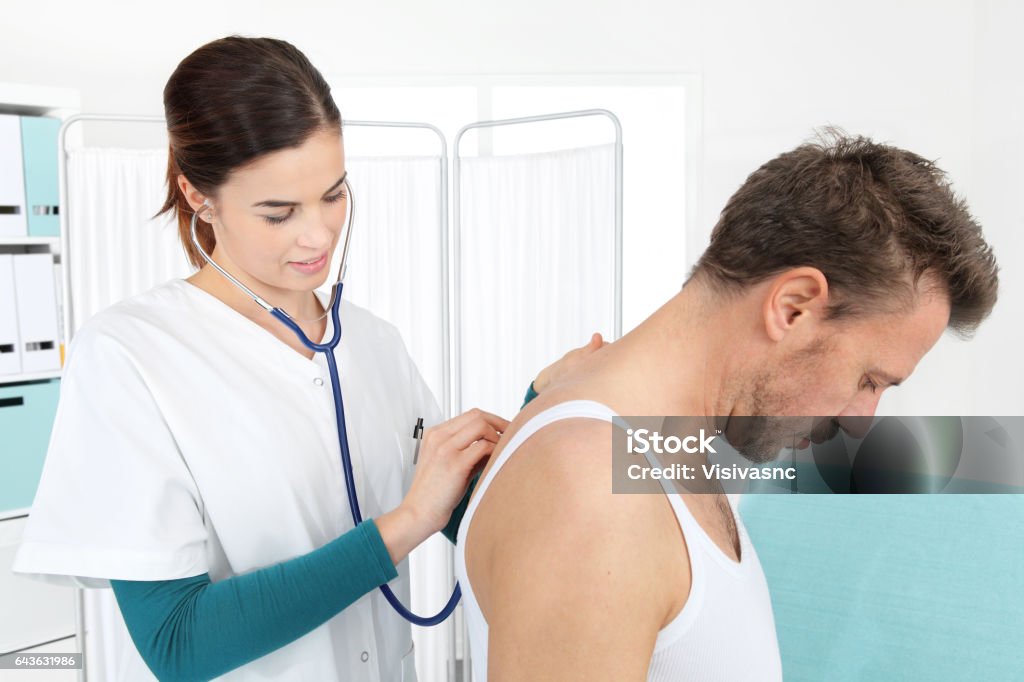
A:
538, 267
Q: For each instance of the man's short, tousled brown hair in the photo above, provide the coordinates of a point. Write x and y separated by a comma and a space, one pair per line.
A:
873, 219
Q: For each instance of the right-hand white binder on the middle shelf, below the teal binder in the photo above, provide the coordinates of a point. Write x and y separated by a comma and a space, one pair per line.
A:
37, 312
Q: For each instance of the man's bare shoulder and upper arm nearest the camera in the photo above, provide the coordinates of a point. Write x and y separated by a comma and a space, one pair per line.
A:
559, 563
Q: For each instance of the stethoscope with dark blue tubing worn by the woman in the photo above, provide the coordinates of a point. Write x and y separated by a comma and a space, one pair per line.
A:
339, 404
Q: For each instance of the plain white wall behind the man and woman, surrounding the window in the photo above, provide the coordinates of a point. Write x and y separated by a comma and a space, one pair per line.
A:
941, 78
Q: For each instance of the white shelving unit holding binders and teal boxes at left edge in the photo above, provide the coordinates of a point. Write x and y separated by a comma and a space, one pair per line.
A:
34, 616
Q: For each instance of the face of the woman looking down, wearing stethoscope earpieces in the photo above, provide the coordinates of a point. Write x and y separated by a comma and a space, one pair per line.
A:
279, 219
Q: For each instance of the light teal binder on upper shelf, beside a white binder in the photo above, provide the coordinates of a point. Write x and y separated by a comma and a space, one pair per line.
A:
42, 194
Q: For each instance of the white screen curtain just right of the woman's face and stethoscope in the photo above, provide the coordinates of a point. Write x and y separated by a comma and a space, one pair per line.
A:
395, 270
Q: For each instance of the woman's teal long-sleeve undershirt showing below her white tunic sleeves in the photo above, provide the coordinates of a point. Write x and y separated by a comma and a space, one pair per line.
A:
195, 629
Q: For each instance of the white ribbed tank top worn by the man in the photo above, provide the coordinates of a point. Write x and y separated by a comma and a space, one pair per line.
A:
724, 633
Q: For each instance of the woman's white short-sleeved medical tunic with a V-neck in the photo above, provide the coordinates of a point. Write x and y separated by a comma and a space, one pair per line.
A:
189, 440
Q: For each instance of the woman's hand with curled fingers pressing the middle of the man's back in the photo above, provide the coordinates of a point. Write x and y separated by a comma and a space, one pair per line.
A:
451, 455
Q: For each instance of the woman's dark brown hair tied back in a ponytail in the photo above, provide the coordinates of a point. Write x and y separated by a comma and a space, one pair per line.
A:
230, 103
